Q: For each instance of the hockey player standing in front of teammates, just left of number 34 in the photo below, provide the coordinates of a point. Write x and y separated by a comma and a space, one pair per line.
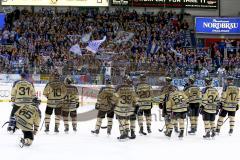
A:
176, 109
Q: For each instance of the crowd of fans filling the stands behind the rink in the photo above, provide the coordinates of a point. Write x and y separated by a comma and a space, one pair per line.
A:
39, 42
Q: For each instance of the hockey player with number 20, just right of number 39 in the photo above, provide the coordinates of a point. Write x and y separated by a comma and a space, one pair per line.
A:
144, 92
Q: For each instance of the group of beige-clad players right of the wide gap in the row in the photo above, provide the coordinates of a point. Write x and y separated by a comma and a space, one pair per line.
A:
130, 103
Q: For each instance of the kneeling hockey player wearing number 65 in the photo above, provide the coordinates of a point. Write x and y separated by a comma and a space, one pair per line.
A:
28, 118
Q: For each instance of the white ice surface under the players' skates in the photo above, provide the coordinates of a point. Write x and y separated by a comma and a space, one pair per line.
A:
84, 145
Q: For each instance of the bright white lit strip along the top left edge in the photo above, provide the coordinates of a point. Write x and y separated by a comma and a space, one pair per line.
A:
84, 3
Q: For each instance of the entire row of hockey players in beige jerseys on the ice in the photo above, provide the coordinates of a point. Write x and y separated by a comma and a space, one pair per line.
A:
129, 103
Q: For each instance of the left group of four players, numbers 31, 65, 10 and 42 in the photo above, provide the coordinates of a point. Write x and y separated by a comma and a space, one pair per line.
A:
62, 98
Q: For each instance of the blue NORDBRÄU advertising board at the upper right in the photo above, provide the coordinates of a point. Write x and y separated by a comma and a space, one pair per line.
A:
216, 25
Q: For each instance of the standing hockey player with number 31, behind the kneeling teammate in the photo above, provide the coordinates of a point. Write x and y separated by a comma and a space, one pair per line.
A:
22, 94
